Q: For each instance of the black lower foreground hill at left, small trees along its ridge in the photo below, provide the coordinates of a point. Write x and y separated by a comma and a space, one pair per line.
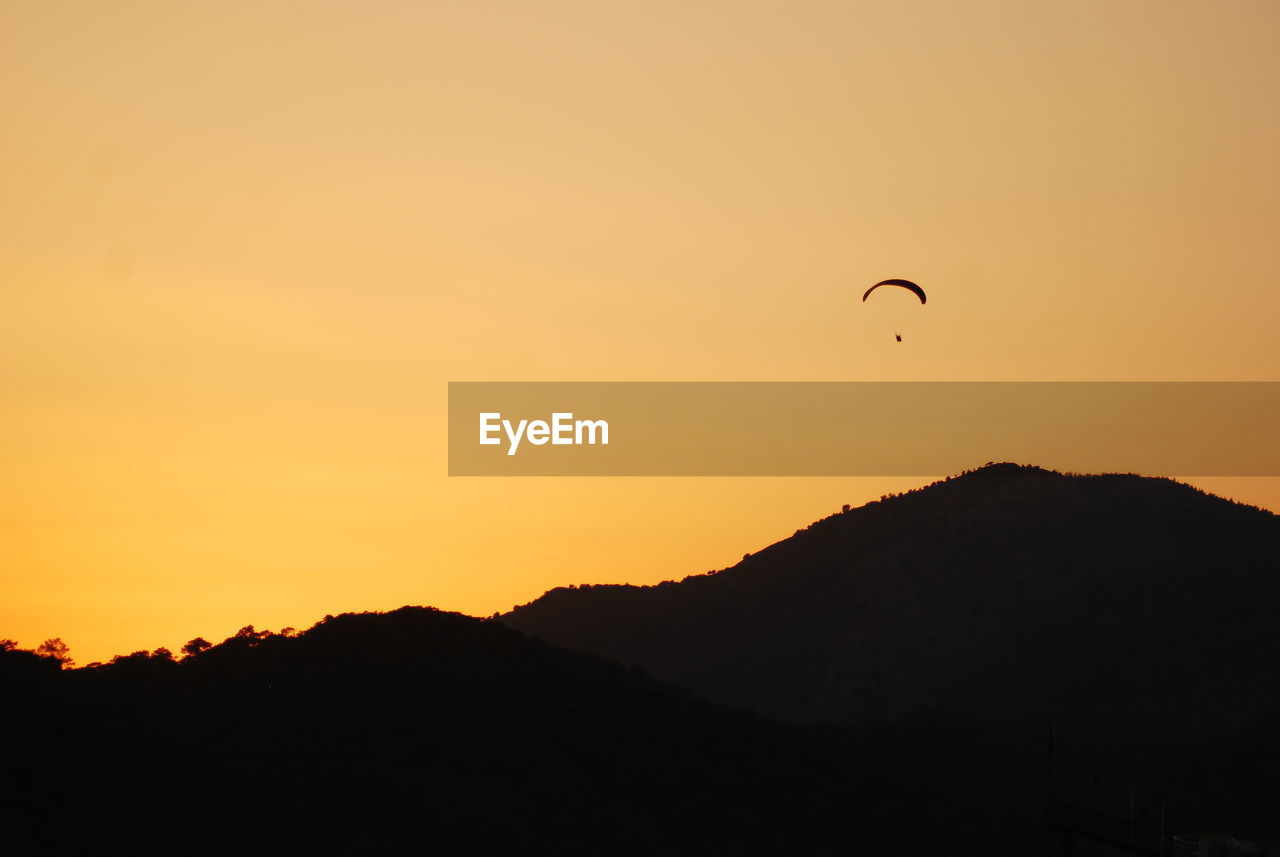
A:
419, 732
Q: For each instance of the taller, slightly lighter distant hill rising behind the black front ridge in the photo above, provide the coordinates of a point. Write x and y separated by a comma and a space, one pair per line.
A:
1119, 608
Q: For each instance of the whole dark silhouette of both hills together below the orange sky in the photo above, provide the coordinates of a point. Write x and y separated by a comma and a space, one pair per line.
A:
1011, 662
